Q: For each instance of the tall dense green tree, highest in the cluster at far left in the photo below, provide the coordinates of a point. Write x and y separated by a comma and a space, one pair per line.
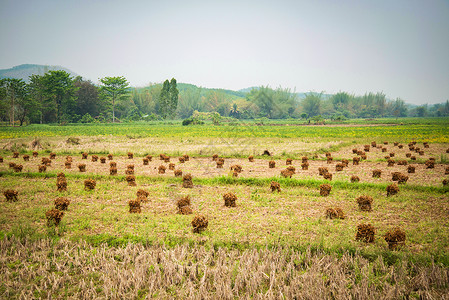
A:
60, 91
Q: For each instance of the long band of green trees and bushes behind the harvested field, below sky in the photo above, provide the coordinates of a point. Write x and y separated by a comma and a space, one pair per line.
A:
56, 97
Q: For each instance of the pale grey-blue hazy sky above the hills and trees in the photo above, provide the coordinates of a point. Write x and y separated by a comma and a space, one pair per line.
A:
399, 47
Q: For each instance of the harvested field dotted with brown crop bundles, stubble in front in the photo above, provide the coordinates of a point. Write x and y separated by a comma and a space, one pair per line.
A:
356, 209
